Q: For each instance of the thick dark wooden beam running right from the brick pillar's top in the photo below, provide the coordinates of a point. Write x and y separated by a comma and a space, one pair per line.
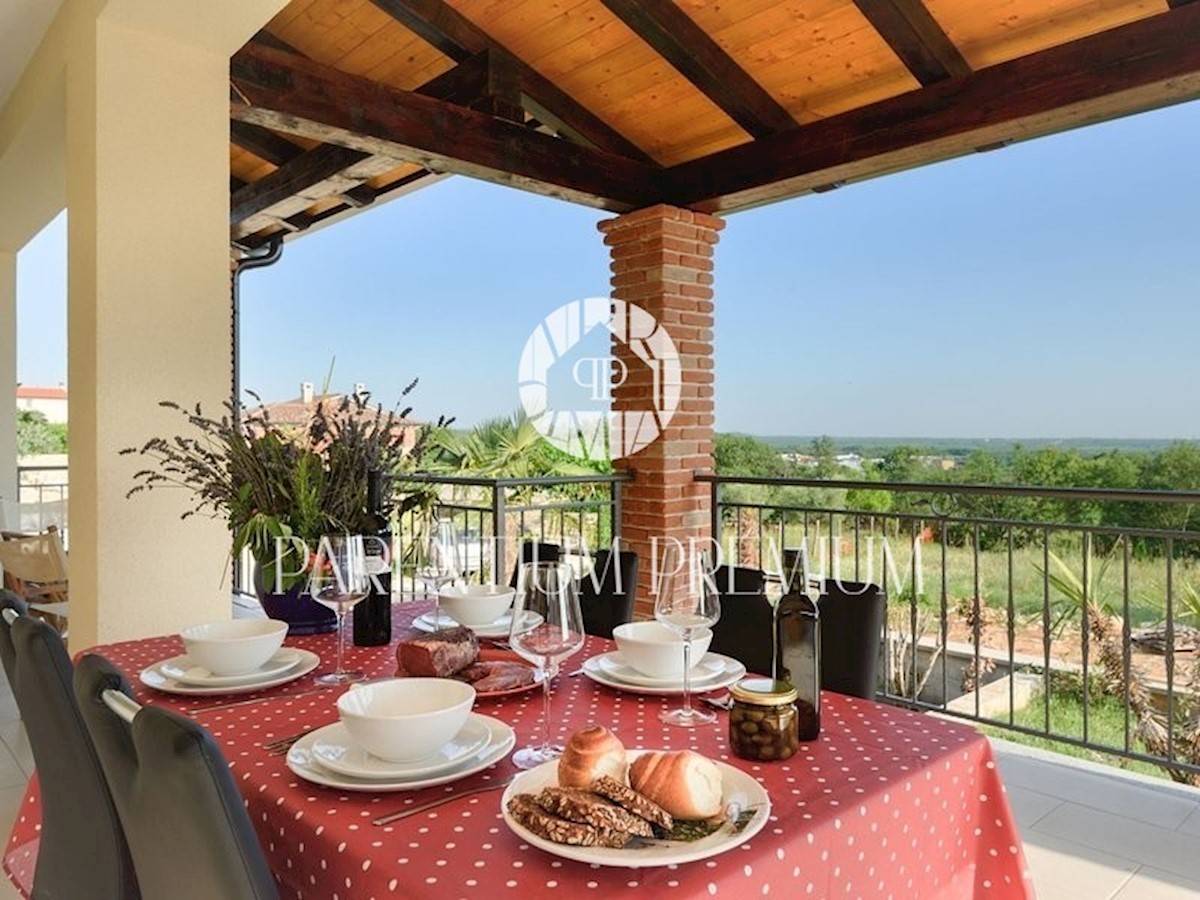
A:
1143, 65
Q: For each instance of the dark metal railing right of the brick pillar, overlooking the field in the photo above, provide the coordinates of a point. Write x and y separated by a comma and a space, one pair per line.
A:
1064, 614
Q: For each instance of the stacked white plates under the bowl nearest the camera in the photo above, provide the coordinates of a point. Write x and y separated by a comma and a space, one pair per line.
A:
332, 758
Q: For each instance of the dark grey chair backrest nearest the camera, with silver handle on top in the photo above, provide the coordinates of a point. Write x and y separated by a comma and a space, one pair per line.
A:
188, 827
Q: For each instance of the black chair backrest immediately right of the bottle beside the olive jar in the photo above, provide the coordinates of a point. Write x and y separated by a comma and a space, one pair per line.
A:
851, 632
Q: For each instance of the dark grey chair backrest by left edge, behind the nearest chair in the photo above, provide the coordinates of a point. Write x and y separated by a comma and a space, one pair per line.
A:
82, 851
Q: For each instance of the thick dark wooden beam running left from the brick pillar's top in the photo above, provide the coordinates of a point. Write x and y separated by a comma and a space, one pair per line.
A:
298, 97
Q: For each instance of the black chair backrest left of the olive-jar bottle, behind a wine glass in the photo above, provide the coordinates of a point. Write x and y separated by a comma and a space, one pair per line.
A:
746, 629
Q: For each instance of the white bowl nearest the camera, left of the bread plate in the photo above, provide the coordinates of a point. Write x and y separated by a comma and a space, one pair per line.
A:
404, 719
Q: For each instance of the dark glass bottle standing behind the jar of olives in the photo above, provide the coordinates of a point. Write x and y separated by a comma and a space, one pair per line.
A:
799, 650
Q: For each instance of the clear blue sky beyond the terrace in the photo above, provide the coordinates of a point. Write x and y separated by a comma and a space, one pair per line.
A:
1048, 290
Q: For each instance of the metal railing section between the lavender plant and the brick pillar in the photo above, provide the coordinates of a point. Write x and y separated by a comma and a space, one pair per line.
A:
495, 517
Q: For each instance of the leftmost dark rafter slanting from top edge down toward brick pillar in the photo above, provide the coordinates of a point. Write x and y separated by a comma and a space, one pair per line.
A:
460, 39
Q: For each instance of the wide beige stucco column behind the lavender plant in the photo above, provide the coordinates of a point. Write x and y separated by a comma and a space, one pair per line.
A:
148, 320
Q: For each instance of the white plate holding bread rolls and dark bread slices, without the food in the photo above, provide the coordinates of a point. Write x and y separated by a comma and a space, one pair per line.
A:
737, 788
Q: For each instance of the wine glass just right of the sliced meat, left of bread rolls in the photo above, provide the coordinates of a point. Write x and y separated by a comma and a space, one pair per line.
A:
548, 627
